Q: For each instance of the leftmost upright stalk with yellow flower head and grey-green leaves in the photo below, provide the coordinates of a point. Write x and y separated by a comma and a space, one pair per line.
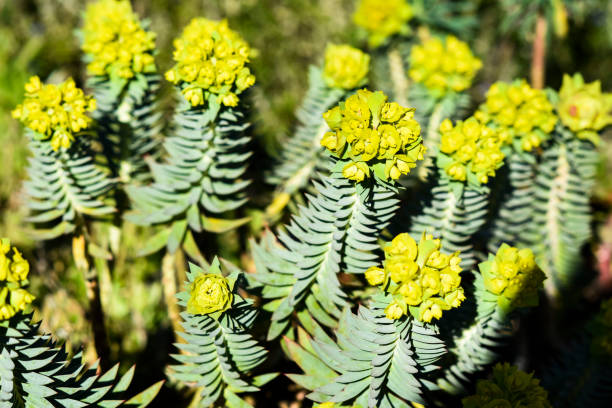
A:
65, 184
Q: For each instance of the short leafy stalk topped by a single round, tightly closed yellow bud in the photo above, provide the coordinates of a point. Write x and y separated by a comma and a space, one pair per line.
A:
219, 353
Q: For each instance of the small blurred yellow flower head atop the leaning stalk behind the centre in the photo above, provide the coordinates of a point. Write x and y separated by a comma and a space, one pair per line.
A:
345, 67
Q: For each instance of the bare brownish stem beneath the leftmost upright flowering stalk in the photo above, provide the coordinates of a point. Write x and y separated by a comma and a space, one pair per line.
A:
96, 314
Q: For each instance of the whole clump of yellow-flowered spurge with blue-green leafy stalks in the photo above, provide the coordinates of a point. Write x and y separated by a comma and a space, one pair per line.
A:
429, 233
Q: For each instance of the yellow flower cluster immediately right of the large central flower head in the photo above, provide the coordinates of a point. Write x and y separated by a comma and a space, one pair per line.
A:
469, 150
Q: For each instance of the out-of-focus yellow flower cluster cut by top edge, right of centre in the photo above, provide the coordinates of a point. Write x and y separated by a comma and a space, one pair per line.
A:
383, 19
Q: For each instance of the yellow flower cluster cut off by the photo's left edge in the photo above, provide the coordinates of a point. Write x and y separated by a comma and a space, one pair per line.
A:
13, 277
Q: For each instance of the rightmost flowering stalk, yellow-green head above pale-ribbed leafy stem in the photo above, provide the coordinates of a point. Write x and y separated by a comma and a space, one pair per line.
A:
564, 184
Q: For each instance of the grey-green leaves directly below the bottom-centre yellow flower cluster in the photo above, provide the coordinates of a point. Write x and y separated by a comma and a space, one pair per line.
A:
373, 362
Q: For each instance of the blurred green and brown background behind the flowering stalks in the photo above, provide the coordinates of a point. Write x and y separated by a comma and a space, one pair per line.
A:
37, 37
